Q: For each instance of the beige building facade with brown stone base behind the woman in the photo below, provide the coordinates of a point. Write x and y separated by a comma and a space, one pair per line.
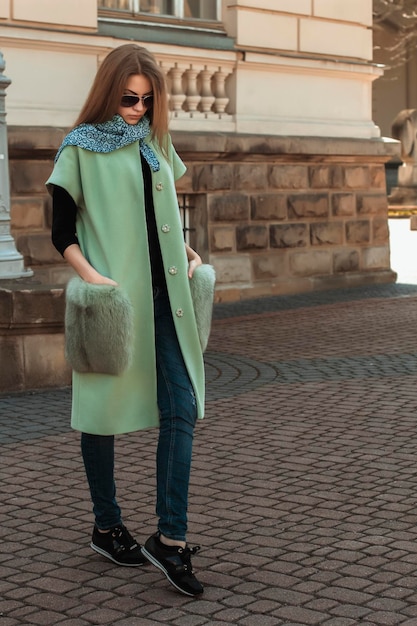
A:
271, 109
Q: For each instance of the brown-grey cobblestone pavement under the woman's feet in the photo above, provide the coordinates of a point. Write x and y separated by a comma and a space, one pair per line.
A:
304, 484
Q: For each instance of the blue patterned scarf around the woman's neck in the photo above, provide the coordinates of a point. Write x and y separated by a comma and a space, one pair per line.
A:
112, 135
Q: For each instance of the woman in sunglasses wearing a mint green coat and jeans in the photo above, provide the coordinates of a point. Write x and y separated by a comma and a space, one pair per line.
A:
116, 222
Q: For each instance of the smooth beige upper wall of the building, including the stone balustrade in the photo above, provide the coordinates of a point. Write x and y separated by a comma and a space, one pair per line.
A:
299, 67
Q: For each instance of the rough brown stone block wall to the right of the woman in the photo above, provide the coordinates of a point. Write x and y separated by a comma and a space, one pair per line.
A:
286, 215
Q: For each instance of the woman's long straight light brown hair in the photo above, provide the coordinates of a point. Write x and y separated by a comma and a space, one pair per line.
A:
110, 81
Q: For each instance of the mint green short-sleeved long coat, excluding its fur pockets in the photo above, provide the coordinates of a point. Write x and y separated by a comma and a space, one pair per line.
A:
111, 227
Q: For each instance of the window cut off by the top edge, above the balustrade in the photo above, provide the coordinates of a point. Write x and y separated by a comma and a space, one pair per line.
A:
186, 9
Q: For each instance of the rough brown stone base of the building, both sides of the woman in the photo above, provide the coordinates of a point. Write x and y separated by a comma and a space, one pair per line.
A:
274, 215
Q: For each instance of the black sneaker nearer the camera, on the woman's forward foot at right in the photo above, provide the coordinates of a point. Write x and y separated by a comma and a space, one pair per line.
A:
175, 562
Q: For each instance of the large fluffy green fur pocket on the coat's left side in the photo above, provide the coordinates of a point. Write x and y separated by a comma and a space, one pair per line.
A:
98, 328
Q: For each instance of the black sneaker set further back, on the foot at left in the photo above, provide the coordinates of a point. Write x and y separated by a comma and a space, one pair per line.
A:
119, 546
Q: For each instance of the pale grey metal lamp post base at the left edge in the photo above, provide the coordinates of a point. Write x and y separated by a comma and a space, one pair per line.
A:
11, 261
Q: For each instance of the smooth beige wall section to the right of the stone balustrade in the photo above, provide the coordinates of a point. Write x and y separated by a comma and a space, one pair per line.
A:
306, 68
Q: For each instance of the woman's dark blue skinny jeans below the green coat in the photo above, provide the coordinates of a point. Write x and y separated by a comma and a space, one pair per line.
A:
178, 415
